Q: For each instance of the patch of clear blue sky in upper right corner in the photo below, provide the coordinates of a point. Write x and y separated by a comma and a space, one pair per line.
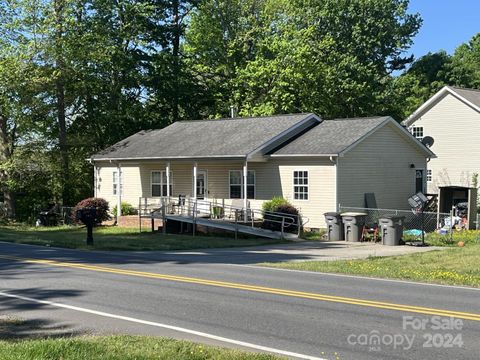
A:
446, 24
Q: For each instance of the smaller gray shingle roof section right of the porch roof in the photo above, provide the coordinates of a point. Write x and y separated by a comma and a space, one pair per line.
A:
331, 137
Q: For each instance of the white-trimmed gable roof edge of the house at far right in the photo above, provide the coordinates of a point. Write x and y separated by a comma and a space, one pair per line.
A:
469, 97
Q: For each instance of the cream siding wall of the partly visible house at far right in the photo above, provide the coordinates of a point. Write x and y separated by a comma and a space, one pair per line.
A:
455, 128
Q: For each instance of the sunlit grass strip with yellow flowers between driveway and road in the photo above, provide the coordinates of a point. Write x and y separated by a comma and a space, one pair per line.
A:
453, 266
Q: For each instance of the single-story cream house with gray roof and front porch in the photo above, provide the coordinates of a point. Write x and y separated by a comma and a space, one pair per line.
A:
313, 163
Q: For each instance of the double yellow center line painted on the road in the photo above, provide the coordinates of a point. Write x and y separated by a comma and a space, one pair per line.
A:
254, 288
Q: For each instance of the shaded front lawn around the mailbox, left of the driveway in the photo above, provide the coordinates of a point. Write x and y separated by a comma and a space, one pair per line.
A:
117, 238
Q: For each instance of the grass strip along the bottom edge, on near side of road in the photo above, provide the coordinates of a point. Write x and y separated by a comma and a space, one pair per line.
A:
118, 348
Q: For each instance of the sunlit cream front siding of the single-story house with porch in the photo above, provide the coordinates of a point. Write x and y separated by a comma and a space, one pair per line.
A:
273, 178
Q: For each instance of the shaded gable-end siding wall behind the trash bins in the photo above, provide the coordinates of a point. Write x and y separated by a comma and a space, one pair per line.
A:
380, 165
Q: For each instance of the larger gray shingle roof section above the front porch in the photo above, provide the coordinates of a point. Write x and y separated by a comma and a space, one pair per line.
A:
202, 138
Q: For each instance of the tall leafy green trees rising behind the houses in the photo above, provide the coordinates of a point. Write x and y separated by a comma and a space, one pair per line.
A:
78, 76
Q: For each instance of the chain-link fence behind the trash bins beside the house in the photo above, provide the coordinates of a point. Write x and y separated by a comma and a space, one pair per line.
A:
413, 221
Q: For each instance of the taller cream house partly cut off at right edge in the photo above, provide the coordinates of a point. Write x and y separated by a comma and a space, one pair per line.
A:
451, 118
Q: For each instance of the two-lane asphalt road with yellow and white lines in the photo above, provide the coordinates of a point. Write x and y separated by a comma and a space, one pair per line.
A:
201, 295
